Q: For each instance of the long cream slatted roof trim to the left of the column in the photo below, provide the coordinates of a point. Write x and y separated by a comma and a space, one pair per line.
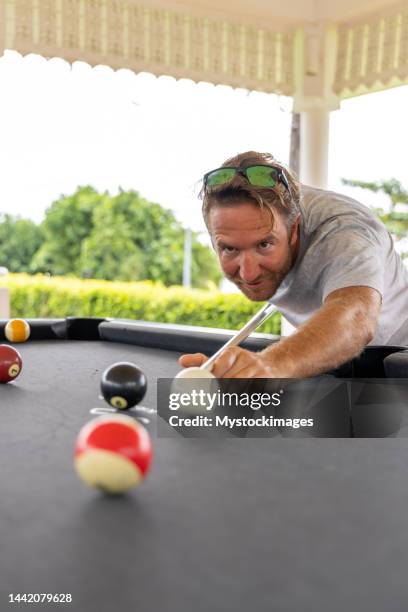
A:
123, 34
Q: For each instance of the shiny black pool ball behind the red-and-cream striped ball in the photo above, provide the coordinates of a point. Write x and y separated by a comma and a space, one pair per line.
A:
123, 385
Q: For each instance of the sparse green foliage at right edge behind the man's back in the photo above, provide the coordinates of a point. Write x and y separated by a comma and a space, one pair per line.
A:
395, 219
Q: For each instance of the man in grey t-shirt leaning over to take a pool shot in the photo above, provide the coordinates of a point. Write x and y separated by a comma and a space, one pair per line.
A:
325, 261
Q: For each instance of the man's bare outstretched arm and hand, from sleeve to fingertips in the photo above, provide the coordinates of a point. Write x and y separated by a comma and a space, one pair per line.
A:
337, 332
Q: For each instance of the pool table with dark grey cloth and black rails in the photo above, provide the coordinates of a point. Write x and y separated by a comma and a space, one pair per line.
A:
257, 524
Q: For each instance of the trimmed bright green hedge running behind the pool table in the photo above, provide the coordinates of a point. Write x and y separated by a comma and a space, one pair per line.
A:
41, 296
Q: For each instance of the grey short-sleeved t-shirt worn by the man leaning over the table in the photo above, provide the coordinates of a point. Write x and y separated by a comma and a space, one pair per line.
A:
343, 244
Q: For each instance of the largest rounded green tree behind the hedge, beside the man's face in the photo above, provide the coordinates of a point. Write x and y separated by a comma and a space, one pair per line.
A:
133, 239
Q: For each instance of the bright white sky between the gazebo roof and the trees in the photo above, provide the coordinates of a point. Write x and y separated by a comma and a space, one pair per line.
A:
62, 126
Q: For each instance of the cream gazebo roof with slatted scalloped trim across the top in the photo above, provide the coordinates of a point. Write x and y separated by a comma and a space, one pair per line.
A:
318, 51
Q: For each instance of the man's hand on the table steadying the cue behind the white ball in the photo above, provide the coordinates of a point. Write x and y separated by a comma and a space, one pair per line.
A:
236, 362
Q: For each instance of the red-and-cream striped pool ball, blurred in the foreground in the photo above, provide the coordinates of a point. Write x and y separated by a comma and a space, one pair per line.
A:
113, 453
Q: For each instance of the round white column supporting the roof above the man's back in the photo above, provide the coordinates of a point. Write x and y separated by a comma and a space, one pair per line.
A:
314, 147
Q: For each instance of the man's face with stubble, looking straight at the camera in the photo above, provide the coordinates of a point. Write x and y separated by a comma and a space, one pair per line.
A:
253, 254
